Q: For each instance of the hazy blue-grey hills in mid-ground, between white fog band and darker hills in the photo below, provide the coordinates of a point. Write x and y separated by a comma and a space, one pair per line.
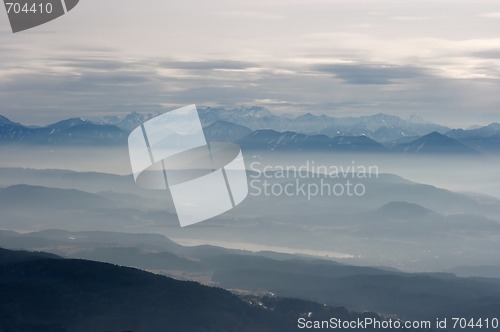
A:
396, 221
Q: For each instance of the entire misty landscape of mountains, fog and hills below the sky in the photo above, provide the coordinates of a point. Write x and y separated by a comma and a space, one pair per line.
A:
407, 219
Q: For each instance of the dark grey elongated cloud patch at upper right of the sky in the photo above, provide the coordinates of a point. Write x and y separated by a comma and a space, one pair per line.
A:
369, 74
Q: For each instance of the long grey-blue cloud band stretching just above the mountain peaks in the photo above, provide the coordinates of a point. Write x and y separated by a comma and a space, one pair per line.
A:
119, 87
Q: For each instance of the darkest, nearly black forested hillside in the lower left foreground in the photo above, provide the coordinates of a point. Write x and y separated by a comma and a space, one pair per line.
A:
45, 293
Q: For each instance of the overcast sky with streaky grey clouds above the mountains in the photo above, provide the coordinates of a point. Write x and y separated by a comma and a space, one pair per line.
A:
436, 59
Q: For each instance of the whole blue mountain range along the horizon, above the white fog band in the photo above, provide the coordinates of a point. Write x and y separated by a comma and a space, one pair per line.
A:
257, 128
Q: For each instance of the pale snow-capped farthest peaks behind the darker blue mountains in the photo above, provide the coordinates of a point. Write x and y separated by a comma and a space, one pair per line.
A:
380, 127
